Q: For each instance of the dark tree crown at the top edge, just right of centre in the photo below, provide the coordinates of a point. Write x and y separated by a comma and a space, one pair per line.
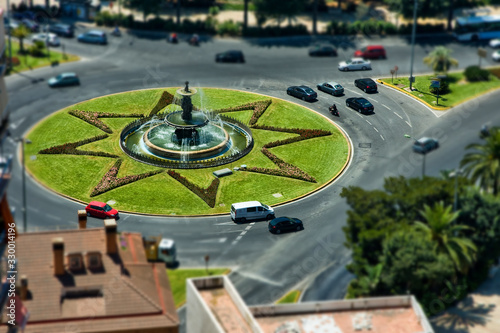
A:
278, 9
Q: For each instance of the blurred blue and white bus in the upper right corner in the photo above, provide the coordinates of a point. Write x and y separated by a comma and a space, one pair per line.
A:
473, 28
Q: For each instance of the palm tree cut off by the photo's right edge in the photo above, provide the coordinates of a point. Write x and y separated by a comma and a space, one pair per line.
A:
483, 165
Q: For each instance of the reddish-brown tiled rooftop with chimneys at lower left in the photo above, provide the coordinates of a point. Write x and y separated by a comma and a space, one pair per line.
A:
124, 285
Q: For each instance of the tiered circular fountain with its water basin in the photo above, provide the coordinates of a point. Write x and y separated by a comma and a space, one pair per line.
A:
186, 138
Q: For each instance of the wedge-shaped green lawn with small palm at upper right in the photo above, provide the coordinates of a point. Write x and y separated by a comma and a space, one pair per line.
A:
460, 90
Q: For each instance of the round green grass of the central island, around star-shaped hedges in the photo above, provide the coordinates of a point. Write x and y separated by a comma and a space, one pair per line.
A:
76, 176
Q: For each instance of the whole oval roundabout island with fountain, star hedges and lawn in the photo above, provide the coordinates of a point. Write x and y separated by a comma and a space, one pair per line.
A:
128, 153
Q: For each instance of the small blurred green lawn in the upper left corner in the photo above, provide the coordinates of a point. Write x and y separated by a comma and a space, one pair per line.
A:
28, 62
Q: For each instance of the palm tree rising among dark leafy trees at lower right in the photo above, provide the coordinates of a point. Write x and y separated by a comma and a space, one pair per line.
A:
441, 230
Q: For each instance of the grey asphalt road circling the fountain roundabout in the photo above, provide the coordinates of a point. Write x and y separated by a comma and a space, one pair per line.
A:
265, 266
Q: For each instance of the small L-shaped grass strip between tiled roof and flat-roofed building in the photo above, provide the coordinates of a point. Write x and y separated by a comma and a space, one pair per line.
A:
178, 279
